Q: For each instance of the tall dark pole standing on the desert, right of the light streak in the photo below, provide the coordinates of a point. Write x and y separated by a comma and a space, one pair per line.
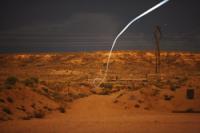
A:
157, 36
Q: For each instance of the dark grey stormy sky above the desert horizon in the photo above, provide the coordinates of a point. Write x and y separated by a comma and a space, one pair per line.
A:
85, 25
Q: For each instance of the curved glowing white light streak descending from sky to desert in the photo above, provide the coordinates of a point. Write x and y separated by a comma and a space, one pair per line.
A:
120, 33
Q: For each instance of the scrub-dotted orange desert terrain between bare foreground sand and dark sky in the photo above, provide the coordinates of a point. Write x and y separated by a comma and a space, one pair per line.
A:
132, 81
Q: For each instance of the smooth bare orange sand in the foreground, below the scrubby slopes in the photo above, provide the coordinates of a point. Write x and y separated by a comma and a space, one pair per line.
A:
99, 114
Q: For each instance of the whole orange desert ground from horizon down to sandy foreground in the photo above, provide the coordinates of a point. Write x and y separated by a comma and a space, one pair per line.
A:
56, 92
